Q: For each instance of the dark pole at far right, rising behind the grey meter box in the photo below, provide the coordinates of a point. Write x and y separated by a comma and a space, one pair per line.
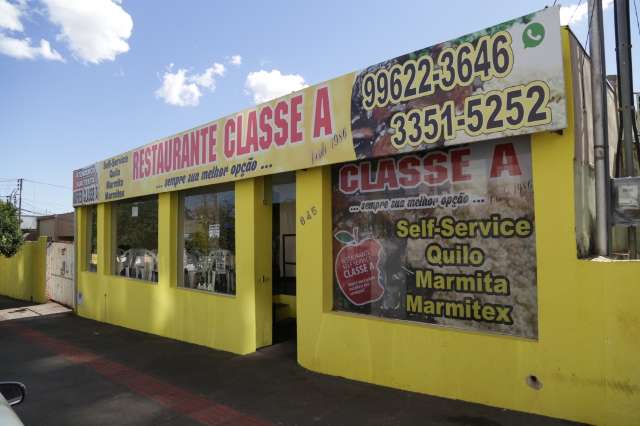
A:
623, 51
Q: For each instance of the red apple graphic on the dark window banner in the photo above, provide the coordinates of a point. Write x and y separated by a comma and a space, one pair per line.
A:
358, 268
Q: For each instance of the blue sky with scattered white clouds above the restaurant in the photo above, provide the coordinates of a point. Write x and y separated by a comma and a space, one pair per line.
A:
114, 75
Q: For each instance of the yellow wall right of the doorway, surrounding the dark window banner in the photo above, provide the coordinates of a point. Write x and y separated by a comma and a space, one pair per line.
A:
588, 352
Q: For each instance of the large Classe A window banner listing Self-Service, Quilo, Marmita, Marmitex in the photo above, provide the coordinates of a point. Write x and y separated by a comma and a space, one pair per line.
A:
444, 237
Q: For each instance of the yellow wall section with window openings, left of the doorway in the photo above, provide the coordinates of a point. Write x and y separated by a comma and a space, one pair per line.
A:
218, 321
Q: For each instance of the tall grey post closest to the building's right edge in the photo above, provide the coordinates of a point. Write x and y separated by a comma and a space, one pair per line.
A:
600, 142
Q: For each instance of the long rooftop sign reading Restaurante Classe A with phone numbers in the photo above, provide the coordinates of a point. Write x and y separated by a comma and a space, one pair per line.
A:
502, 81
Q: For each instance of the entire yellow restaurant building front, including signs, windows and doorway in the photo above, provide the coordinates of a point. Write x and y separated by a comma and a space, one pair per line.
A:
418, 224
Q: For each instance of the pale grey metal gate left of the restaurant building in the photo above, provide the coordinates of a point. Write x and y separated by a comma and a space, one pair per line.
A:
59, 279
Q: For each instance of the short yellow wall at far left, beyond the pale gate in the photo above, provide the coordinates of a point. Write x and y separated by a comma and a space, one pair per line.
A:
23, 275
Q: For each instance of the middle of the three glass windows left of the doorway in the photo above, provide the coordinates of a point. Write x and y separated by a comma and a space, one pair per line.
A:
136, 238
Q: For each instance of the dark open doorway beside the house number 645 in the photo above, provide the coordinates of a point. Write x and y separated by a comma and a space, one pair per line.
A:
283, 241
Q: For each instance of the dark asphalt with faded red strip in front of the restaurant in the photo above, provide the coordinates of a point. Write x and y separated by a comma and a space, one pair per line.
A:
81, 372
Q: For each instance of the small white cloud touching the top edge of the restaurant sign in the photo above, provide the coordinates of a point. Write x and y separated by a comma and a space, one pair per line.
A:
268, 85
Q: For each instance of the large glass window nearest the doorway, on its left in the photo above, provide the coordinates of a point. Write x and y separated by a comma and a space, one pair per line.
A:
208, 240
